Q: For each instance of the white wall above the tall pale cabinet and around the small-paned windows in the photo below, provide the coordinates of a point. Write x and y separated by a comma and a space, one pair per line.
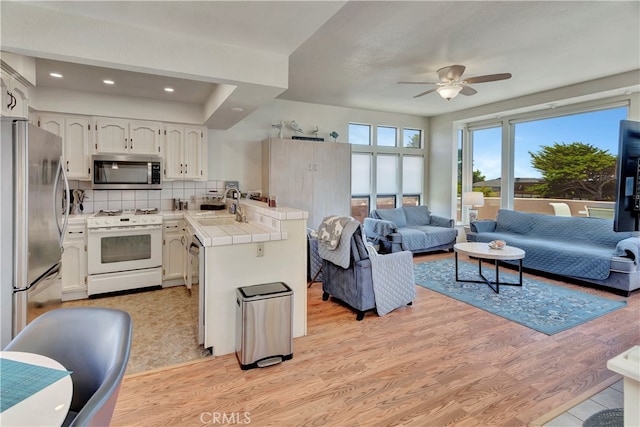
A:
235, 154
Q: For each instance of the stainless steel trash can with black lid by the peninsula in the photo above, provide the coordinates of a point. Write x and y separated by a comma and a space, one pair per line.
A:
264, 329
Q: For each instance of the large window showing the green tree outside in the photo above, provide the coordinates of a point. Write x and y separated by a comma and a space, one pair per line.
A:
571, 158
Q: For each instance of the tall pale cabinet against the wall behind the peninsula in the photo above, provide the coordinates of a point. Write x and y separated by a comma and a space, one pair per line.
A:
308, 175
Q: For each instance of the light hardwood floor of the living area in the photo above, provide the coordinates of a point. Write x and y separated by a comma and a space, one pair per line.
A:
439, 362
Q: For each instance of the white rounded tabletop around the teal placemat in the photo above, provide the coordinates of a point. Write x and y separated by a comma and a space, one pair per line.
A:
49, 406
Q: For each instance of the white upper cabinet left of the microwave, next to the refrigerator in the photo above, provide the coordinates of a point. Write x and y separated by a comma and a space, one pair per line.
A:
75, 132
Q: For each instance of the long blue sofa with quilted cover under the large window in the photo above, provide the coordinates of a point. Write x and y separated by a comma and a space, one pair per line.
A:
580, 248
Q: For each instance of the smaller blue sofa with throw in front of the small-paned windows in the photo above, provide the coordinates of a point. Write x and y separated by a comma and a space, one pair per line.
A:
409, 228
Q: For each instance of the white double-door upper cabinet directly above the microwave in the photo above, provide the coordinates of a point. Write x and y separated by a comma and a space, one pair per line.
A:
127, 136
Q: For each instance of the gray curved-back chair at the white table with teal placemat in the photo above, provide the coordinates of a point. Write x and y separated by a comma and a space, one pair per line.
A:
92, 342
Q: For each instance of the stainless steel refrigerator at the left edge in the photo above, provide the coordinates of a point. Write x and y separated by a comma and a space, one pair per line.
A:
33, 189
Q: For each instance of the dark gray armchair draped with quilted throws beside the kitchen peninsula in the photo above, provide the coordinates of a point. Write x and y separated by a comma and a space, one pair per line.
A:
370, 281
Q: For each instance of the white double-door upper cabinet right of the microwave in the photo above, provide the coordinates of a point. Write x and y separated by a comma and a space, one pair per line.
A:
185, 149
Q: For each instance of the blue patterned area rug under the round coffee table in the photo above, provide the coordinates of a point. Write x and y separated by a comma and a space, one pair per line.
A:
537, 305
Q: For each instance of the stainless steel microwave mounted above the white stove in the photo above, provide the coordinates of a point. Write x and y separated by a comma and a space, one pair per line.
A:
127, 172
